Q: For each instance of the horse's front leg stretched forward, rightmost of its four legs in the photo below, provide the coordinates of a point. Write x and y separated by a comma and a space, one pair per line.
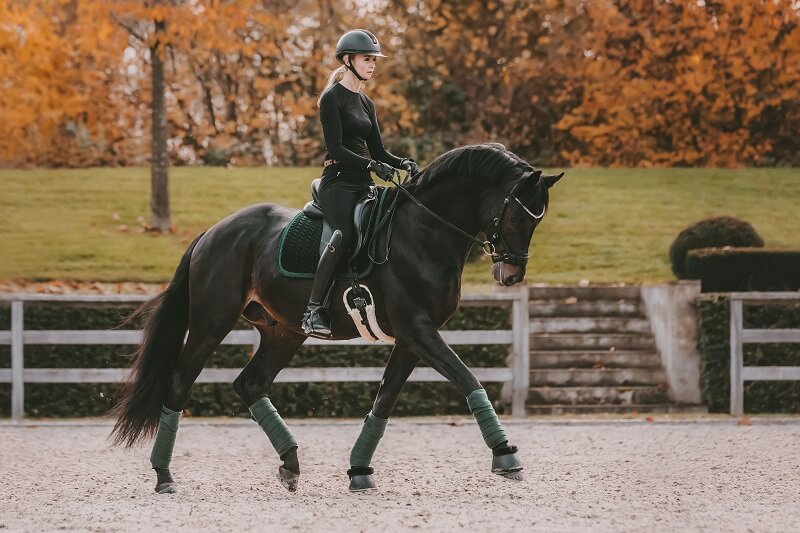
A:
428, 345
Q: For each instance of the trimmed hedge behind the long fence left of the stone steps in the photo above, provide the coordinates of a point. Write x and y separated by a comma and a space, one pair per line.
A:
291, 399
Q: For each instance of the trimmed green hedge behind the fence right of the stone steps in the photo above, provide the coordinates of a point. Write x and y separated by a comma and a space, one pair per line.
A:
713, 315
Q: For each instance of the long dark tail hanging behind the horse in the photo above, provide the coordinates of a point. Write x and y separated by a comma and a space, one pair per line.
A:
145, 388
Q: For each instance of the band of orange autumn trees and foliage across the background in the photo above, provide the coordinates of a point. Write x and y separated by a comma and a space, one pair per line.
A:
625, 82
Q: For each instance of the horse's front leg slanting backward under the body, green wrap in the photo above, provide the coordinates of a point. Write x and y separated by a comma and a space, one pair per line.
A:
401, 364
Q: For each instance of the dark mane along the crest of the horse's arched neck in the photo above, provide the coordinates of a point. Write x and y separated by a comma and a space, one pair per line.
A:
489, 160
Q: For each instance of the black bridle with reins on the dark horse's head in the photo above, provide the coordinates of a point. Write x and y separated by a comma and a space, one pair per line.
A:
496, 234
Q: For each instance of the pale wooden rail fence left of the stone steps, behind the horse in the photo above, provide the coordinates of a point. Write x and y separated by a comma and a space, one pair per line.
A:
516, 377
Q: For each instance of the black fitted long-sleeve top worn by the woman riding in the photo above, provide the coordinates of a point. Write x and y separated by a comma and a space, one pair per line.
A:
350, 125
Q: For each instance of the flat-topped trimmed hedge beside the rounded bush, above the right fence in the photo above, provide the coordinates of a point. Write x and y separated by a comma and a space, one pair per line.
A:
744, 269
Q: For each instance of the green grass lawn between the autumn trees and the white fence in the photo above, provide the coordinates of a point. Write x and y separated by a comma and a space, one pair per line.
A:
604, 225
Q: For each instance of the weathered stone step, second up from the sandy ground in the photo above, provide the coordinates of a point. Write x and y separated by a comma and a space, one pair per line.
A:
597, 395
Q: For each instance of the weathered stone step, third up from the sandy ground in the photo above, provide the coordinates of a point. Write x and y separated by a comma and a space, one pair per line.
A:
596, 377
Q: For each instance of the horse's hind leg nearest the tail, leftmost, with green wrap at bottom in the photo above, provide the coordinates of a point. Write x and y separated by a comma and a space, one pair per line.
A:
209, 324
